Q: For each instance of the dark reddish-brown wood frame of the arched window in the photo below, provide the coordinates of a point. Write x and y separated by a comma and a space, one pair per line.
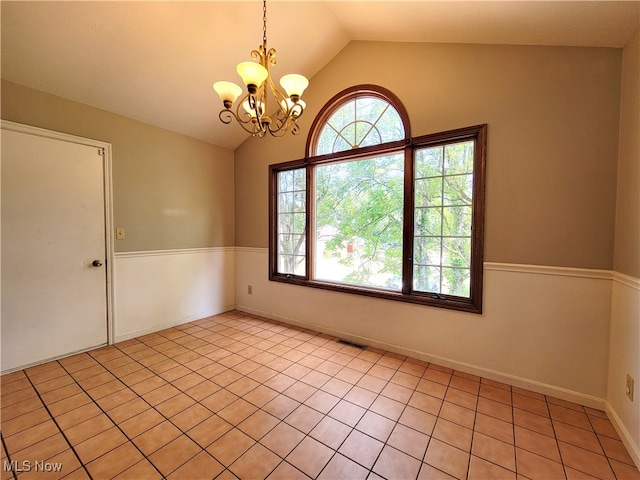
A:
408, 145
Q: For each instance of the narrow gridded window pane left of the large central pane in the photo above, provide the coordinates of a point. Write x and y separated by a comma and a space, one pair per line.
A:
291, 224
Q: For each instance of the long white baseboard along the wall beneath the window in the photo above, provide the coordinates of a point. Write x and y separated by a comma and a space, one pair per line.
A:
550, 390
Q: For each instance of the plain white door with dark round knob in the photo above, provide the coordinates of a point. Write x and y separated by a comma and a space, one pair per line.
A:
54, 299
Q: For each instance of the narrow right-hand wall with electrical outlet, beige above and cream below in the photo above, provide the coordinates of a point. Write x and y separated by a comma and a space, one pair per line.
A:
624, 347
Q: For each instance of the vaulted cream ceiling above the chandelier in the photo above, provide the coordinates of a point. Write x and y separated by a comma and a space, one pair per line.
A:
156, 61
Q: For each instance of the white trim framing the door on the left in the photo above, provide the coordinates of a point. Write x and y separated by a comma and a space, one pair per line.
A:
108, 202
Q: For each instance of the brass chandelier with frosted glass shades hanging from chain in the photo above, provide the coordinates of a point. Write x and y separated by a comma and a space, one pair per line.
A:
252, 111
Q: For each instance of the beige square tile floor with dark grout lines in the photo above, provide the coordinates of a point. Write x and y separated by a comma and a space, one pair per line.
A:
235, 395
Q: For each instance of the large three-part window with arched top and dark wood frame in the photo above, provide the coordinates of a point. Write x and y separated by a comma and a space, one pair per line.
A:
373, 211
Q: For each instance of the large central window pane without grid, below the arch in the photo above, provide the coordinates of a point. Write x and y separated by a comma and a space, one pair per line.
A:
359, 222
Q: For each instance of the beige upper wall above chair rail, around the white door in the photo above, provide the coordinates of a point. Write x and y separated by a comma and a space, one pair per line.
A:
170, 191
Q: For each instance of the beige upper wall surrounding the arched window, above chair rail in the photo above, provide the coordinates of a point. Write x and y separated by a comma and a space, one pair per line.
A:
552, 114
